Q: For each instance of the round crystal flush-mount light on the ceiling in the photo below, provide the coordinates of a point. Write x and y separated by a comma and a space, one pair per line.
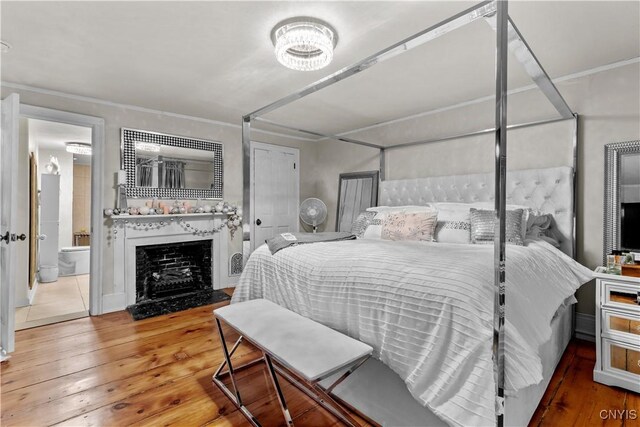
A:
303, 43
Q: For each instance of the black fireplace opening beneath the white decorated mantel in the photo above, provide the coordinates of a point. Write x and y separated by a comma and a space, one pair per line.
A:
168, 270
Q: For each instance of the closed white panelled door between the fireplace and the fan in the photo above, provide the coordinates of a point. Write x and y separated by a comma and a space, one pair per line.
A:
275, 195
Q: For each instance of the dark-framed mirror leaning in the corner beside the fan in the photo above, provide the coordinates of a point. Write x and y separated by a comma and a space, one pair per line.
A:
357, 191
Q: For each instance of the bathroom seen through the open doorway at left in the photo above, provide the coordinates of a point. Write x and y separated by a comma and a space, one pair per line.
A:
55, 164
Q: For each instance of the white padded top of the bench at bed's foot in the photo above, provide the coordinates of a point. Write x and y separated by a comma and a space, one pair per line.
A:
302, 345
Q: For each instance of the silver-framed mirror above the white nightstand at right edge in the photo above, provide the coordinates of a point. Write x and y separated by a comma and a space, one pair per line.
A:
622, 197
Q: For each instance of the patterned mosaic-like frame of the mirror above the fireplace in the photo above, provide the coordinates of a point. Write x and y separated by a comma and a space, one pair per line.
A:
128, 163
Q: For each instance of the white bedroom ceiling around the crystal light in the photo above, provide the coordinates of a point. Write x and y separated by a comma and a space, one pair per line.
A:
215, 59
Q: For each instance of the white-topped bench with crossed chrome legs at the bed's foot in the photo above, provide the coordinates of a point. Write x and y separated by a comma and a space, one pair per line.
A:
305, 352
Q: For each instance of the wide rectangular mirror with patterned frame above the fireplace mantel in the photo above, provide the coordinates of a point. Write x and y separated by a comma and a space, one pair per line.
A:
169, 166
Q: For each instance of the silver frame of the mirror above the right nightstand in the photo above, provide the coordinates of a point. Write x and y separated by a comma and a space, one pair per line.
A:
612, 157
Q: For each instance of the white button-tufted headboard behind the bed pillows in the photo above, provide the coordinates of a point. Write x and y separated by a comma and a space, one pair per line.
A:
547, 190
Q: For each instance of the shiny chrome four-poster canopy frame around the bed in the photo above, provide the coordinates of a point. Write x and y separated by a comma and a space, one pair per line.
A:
507, 37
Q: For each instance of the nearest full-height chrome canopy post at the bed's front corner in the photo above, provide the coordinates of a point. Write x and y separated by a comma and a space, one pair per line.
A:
500, 205
